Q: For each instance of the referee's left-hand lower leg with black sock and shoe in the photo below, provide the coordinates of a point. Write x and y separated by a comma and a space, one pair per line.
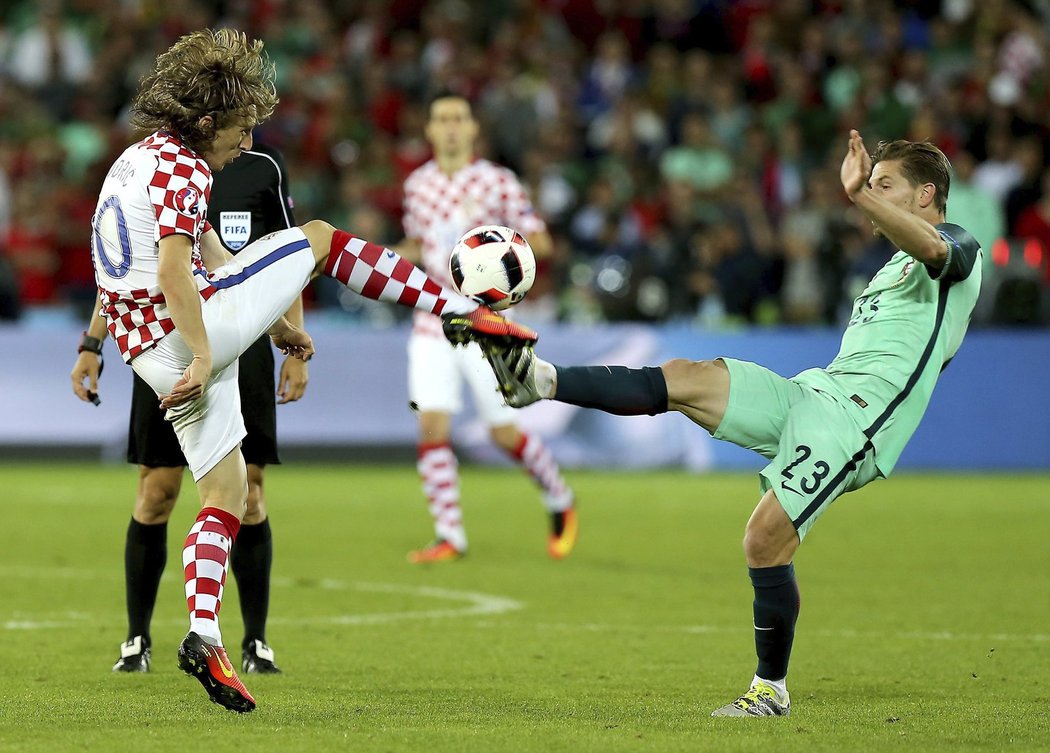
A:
145, 557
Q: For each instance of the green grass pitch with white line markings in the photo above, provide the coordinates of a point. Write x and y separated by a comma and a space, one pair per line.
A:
926, 621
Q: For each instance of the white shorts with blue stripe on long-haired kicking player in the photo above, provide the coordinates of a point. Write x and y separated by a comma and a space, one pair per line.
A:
253, 292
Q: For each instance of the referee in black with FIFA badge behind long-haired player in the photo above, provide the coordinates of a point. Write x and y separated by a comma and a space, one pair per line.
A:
249, 200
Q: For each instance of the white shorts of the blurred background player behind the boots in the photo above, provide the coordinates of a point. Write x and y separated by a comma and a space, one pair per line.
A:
436, 374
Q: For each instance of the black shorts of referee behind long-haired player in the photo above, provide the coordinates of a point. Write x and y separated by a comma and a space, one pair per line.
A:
153, 442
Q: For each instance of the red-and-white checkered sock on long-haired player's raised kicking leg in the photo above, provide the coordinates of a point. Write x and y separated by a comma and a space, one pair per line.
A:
382, 275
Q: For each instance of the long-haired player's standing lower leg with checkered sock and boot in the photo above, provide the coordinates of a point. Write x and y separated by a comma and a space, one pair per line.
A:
224, 492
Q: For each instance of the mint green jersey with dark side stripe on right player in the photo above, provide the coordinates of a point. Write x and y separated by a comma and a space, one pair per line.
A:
906, 327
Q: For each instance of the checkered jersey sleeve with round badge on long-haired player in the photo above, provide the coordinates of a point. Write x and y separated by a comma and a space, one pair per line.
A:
179, 196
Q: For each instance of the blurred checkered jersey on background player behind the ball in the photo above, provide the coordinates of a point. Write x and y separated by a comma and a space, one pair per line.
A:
439, 208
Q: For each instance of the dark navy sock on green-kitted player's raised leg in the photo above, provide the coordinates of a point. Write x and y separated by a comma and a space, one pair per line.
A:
617, 390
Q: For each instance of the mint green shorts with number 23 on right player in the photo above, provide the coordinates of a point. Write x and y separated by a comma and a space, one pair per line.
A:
816, 450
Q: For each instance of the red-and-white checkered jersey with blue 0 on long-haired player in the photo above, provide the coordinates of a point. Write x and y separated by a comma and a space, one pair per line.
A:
158, 187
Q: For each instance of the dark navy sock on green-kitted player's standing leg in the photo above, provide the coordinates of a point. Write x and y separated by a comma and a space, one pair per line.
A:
776, 610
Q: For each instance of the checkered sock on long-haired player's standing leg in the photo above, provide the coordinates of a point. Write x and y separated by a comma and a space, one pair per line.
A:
205, 559
